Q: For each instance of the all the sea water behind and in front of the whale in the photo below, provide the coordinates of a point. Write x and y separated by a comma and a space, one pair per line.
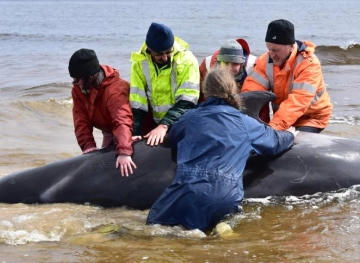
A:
38, 38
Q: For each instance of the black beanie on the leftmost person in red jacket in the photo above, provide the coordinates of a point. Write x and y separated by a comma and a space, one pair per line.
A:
83, 63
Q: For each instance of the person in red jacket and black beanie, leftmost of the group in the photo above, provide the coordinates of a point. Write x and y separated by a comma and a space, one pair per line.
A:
101, 100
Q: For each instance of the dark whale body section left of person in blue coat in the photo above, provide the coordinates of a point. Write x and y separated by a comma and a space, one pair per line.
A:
92, 178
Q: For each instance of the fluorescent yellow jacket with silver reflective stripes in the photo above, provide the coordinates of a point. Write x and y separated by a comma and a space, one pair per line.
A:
163, 87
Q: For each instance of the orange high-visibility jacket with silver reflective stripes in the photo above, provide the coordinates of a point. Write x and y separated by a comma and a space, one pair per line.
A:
302, 98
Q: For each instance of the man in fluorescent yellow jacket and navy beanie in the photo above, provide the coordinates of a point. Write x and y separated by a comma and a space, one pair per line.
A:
164, 82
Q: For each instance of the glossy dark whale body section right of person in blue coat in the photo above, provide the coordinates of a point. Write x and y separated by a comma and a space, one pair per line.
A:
316, 163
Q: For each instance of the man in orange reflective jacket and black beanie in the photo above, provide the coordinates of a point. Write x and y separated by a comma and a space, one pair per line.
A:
291, 70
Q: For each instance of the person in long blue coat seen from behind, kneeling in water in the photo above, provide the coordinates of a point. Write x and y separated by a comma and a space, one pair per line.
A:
213, 143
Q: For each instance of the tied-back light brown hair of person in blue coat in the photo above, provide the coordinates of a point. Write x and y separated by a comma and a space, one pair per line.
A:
220, 83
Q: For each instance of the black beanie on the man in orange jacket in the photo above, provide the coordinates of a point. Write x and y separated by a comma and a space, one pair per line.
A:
280, 32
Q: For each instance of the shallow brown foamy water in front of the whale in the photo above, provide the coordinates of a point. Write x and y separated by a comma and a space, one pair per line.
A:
312, 229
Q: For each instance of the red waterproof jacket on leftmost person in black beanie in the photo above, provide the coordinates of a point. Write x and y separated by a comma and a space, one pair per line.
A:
107, 109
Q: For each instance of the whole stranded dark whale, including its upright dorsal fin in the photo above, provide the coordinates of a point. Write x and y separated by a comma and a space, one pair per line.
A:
316, 163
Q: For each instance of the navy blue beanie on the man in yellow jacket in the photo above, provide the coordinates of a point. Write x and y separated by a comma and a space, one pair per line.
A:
159, 37
